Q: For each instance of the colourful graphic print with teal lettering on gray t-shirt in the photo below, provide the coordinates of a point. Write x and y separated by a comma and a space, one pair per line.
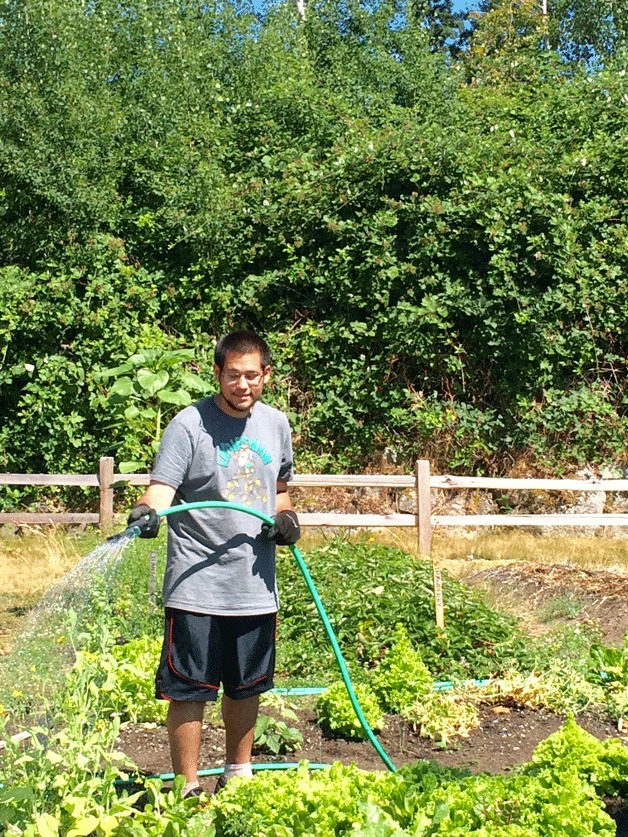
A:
244, 458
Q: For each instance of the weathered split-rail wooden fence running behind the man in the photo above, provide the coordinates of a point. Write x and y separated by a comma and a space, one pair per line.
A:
422, 481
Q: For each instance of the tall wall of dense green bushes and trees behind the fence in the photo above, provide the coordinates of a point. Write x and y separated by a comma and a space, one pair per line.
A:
435, 245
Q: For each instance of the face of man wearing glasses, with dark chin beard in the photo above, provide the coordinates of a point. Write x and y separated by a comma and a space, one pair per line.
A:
241, 382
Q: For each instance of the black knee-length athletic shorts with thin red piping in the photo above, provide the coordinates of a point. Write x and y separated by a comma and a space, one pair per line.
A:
201, 651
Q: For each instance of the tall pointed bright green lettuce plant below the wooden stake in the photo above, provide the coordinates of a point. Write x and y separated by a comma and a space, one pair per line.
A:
401, 679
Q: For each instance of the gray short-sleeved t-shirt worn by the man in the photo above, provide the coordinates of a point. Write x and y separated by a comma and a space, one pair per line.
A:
218, 560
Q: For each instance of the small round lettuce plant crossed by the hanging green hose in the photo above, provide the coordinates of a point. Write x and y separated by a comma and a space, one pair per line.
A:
337, 715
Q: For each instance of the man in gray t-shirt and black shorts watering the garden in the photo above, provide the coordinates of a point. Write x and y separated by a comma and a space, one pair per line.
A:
220, 590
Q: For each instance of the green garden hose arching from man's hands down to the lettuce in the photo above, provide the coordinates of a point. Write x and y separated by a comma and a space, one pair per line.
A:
220, 504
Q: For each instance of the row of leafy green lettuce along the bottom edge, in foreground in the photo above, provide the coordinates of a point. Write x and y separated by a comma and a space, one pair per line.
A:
419, 800
